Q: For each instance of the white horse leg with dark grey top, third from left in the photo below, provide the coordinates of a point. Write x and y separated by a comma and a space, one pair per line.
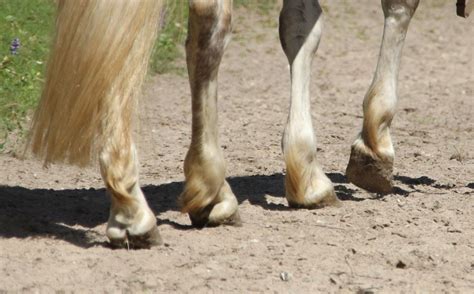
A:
300, 31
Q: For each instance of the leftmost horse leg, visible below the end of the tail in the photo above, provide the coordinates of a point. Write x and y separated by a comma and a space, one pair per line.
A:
131, 221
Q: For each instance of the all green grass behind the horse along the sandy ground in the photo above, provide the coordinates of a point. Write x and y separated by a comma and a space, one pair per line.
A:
32, 21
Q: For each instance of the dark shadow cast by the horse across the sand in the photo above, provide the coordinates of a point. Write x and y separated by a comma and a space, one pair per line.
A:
26, 213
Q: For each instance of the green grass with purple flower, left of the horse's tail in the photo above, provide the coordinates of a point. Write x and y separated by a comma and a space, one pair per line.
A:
21, 75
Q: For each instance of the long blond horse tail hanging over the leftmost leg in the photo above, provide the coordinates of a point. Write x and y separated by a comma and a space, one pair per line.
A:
94, 76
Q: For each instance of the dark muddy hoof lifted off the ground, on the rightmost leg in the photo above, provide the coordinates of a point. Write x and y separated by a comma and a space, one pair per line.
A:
370, 172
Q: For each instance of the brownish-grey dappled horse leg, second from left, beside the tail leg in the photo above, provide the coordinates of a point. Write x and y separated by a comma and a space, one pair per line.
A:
207, 197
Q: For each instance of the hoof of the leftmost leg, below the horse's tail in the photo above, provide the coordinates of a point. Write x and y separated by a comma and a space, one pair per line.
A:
145, 241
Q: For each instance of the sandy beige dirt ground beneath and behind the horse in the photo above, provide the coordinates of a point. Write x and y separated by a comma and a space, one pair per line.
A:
418, 239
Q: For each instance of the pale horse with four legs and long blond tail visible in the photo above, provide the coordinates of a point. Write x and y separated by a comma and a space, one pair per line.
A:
95, 73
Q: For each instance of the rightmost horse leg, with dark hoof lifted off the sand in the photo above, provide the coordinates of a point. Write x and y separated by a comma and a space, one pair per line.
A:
371, 162
